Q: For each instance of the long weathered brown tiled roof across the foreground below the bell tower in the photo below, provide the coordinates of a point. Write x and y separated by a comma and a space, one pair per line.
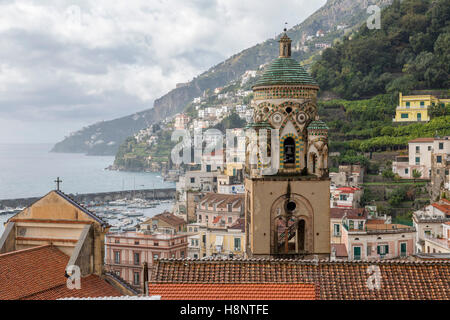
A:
338, 280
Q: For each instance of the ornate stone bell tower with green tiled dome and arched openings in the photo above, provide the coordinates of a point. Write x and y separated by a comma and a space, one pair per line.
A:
288, 210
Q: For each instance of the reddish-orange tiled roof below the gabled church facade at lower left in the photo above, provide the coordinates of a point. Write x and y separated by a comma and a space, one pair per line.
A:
38, 273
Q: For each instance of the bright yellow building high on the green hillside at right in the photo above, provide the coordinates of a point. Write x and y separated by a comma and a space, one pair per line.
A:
416, 108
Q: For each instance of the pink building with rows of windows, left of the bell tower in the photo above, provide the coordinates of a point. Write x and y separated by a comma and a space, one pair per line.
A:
126, 252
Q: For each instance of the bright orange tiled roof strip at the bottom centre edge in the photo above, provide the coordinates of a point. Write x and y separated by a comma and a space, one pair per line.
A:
242, 291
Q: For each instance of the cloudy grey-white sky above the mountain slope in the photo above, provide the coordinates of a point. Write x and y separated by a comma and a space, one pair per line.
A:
68, 64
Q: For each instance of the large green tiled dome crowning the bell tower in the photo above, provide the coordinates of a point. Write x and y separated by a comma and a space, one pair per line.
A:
285, 71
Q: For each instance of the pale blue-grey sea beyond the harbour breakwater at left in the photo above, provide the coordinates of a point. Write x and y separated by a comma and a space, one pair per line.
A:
29, 170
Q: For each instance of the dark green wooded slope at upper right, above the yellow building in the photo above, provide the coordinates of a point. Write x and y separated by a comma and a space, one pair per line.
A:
410, 51
